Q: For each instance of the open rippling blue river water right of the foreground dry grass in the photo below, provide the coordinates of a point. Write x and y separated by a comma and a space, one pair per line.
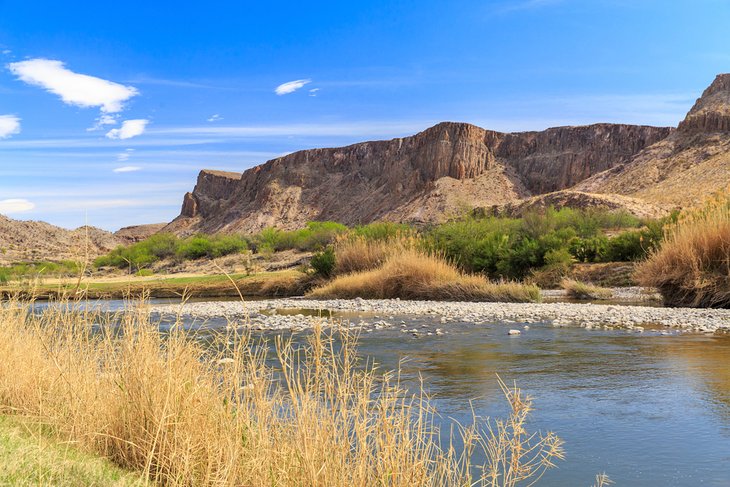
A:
649, 409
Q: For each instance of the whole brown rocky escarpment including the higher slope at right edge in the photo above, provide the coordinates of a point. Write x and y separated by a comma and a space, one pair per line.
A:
451, 167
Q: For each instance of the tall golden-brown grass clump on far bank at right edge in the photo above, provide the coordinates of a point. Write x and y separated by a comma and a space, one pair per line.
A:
692, 266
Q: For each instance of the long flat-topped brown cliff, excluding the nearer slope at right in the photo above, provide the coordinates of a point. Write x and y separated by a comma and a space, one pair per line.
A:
426, 177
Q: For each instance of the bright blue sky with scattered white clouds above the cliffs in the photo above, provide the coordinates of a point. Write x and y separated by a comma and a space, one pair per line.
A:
174, 87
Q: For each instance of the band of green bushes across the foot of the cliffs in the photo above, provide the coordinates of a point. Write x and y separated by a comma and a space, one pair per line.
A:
499, 247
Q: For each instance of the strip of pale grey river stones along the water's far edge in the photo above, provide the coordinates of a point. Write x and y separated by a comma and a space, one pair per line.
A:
267, 314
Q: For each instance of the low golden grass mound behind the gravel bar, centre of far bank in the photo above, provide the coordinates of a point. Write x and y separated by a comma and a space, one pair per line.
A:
414, 274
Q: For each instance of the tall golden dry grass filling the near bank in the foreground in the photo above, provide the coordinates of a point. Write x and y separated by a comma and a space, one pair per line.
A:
188, 413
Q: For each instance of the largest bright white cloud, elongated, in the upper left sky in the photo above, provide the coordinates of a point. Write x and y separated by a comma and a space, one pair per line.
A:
73, 88
